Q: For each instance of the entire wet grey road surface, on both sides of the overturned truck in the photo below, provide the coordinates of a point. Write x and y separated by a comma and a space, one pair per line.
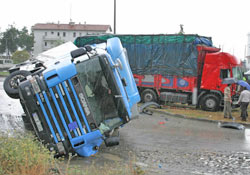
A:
161, 144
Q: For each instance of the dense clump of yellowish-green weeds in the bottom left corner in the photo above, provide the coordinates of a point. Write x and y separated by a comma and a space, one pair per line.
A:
24, 155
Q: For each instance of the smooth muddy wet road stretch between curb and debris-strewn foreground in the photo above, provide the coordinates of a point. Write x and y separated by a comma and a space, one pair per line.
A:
187, 134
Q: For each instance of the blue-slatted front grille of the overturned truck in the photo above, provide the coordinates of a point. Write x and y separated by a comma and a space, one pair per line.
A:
63, 112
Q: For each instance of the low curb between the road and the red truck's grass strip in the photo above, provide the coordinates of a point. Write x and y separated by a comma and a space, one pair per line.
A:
160, 111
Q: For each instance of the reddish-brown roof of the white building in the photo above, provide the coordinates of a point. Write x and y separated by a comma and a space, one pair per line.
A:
71, 26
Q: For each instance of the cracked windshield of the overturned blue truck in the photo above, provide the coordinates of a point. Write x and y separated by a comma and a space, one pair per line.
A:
100, 91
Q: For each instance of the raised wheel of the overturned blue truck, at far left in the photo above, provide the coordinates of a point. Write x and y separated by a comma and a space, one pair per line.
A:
11, 82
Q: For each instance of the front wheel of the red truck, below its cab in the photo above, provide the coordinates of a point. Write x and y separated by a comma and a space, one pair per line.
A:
210, 102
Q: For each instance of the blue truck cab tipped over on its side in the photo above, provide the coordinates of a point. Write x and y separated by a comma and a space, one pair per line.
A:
76, 103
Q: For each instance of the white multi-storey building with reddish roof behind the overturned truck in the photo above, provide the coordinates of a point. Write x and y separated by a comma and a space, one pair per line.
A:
49, 35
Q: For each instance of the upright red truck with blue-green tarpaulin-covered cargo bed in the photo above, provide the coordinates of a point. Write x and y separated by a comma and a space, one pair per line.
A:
177, 68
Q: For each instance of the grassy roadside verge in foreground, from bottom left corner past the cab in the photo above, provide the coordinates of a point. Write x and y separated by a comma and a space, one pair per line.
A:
25, 155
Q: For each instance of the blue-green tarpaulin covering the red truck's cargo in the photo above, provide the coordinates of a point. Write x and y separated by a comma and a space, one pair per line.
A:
157, 54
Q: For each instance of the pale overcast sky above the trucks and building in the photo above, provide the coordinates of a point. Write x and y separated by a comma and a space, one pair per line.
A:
226, 21
